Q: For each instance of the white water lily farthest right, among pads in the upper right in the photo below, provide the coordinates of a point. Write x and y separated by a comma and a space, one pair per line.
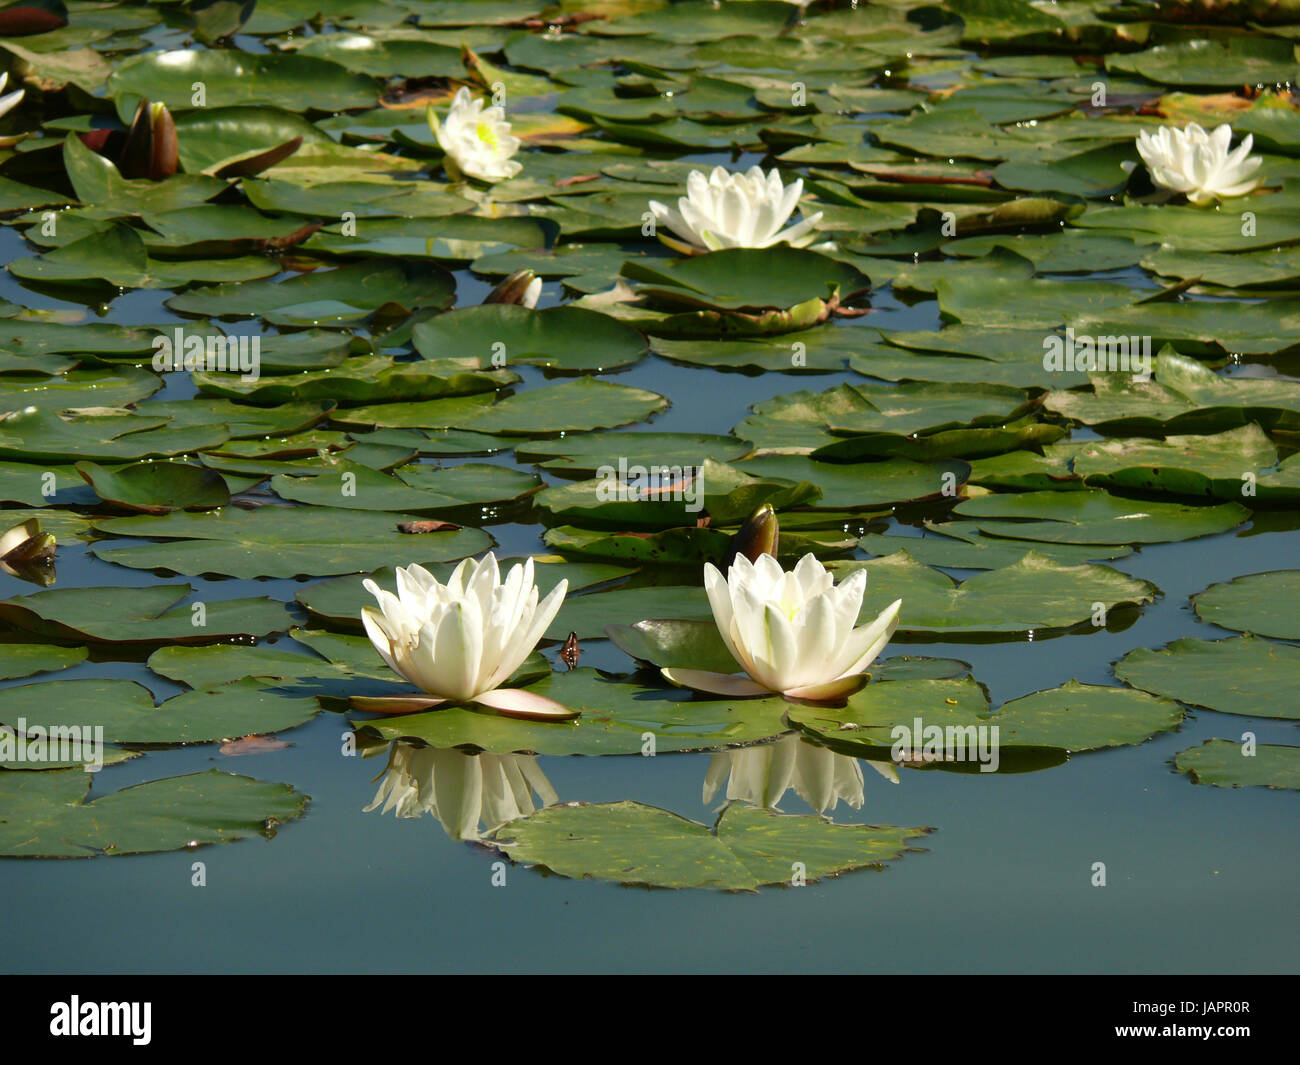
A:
1199, 164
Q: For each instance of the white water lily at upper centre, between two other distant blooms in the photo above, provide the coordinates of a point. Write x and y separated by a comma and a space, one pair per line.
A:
735, 211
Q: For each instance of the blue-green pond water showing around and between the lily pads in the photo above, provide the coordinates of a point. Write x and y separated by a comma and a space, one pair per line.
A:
1197, 878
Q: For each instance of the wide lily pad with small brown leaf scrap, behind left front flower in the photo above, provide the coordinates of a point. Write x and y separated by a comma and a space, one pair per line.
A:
280, 542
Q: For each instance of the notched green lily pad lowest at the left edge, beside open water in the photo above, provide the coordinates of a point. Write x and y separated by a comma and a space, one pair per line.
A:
47, 815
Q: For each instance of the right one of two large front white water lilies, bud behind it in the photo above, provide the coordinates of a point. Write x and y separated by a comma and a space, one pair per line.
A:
792, 633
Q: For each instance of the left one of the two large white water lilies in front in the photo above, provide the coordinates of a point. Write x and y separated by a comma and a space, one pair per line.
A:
461, 640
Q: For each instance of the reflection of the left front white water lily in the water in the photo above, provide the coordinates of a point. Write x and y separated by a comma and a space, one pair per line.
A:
469, 794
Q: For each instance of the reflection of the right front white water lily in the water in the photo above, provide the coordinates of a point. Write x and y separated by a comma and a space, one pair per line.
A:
764, 774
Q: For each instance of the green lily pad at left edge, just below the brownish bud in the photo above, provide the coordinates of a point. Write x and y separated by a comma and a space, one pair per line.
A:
142, 616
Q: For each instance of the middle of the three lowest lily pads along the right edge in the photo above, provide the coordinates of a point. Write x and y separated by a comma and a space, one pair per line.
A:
1245, 676
